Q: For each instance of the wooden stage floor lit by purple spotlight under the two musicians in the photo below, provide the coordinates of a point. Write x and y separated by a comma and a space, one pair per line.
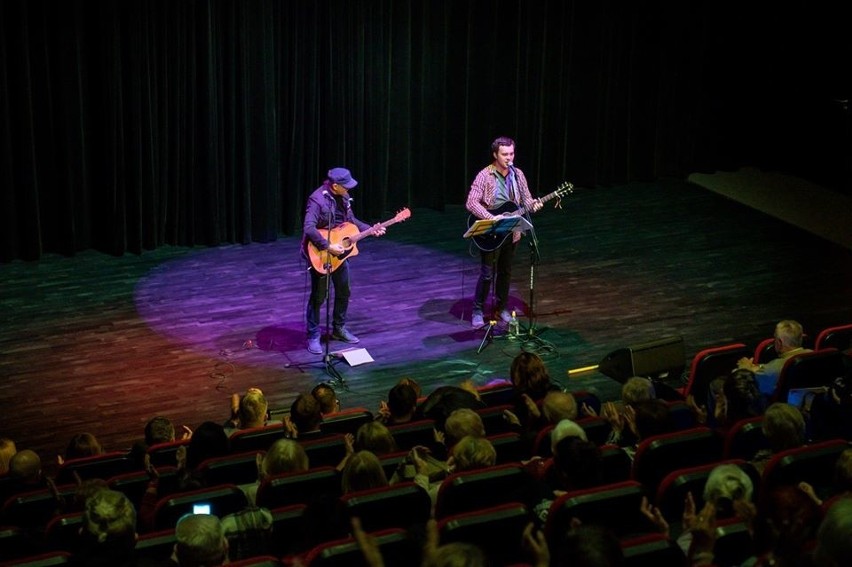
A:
101, 344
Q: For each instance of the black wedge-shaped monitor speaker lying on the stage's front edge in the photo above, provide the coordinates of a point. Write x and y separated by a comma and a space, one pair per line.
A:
655, 360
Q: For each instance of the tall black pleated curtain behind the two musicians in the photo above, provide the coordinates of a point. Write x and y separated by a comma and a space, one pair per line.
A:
137, 124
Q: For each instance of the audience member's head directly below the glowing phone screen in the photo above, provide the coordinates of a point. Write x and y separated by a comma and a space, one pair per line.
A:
200, 541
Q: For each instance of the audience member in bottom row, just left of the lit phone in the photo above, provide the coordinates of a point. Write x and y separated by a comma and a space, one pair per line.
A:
107, 531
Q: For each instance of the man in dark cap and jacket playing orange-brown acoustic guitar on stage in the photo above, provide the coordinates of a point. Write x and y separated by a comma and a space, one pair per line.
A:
328, 207
